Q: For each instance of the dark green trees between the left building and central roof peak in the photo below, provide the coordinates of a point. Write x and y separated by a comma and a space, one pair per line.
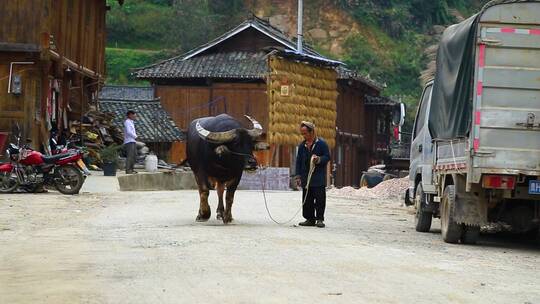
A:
170, 24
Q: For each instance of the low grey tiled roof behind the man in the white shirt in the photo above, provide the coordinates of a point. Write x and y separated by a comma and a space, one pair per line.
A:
153, 123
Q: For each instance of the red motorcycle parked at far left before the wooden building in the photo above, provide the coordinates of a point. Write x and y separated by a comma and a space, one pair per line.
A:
32, 170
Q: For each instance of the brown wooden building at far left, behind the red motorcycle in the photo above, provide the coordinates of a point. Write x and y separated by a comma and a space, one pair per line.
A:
52, 61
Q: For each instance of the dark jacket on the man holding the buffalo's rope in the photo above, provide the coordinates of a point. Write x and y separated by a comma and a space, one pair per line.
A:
319, 148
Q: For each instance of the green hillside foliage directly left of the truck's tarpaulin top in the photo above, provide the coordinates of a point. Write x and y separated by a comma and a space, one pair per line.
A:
396, 56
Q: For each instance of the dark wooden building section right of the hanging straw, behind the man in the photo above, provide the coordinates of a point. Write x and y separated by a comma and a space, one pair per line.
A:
364, 128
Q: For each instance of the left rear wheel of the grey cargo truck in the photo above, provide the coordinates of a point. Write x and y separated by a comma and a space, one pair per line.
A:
450, 230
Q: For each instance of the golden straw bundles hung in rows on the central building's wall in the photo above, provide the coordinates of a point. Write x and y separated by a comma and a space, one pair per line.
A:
312, 97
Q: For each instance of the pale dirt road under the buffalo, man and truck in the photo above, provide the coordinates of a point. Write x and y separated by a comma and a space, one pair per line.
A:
105, 246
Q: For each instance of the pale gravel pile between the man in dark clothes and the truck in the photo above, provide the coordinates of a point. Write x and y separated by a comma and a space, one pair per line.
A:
390, 189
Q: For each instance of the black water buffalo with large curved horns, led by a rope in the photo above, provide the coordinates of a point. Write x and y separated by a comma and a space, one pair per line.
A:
219, 149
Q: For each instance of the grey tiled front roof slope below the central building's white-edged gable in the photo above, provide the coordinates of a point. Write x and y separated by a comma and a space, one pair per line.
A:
218, 65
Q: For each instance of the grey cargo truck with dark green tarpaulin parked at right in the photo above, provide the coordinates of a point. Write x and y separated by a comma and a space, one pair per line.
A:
475, 152
